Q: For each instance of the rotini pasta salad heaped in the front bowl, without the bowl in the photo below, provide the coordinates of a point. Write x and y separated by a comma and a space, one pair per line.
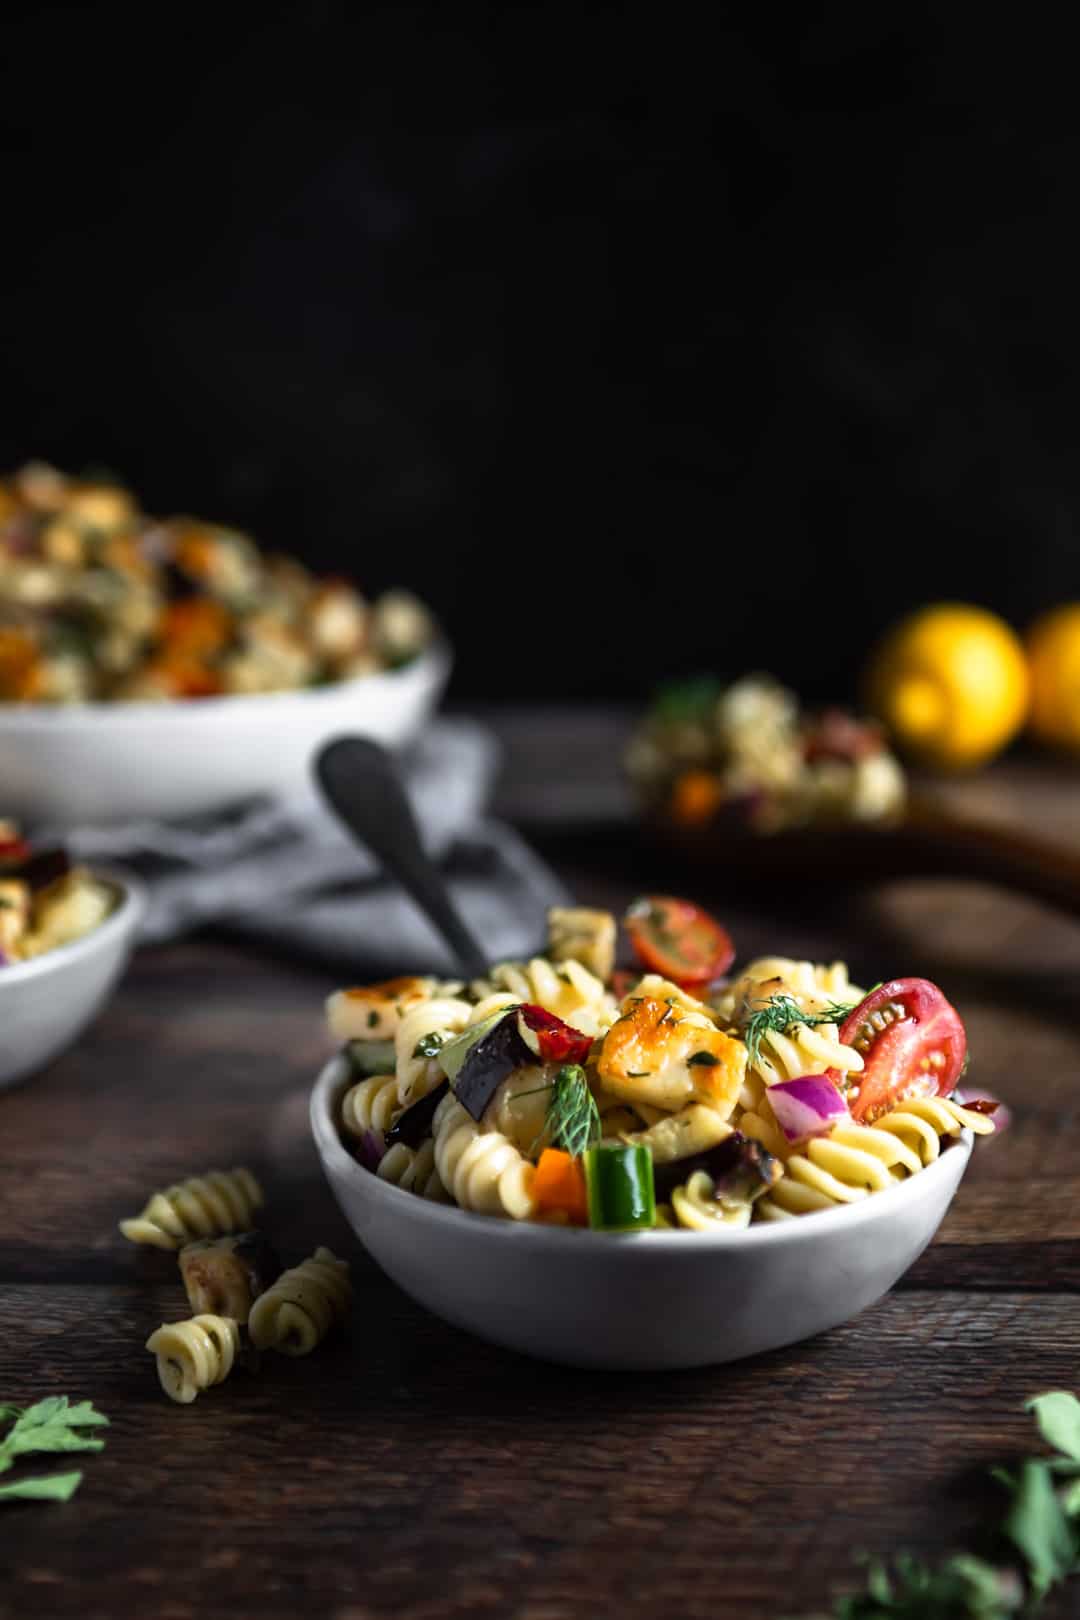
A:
681, 1096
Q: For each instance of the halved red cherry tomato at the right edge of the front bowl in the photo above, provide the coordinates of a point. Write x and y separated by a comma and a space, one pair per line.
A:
912, 1042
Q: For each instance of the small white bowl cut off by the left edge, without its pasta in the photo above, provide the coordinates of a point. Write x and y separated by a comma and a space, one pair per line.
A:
48, 1004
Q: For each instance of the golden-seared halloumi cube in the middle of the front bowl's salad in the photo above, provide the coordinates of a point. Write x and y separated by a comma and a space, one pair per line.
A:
661, 1054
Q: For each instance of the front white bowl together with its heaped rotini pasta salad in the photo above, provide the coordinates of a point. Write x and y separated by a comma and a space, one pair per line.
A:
532, 1154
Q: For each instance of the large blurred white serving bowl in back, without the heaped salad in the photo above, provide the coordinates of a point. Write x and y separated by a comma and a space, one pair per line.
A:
113, 762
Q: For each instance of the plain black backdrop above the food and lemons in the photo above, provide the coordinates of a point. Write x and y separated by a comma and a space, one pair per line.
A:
636, 347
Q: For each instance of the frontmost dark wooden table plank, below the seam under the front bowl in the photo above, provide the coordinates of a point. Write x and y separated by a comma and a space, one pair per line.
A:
410, 1470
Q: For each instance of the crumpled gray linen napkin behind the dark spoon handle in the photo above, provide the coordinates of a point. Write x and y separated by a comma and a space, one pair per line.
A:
287, 872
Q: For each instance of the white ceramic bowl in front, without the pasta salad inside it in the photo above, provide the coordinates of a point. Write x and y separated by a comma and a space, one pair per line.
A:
642, 1300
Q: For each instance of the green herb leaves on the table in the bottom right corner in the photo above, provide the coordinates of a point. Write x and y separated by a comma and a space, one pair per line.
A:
1027, 1554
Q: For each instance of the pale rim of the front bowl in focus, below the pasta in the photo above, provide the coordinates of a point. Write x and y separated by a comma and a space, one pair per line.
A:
846, 1217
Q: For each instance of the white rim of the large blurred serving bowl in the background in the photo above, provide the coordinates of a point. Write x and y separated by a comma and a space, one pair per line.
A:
430, 665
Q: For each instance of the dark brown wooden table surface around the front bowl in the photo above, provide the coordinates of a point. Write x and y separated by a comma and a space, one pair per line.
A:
409, 1470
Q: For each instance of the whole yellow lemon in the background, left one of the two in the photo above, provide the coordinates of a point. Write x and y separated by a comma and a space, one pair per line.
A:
951, 683
